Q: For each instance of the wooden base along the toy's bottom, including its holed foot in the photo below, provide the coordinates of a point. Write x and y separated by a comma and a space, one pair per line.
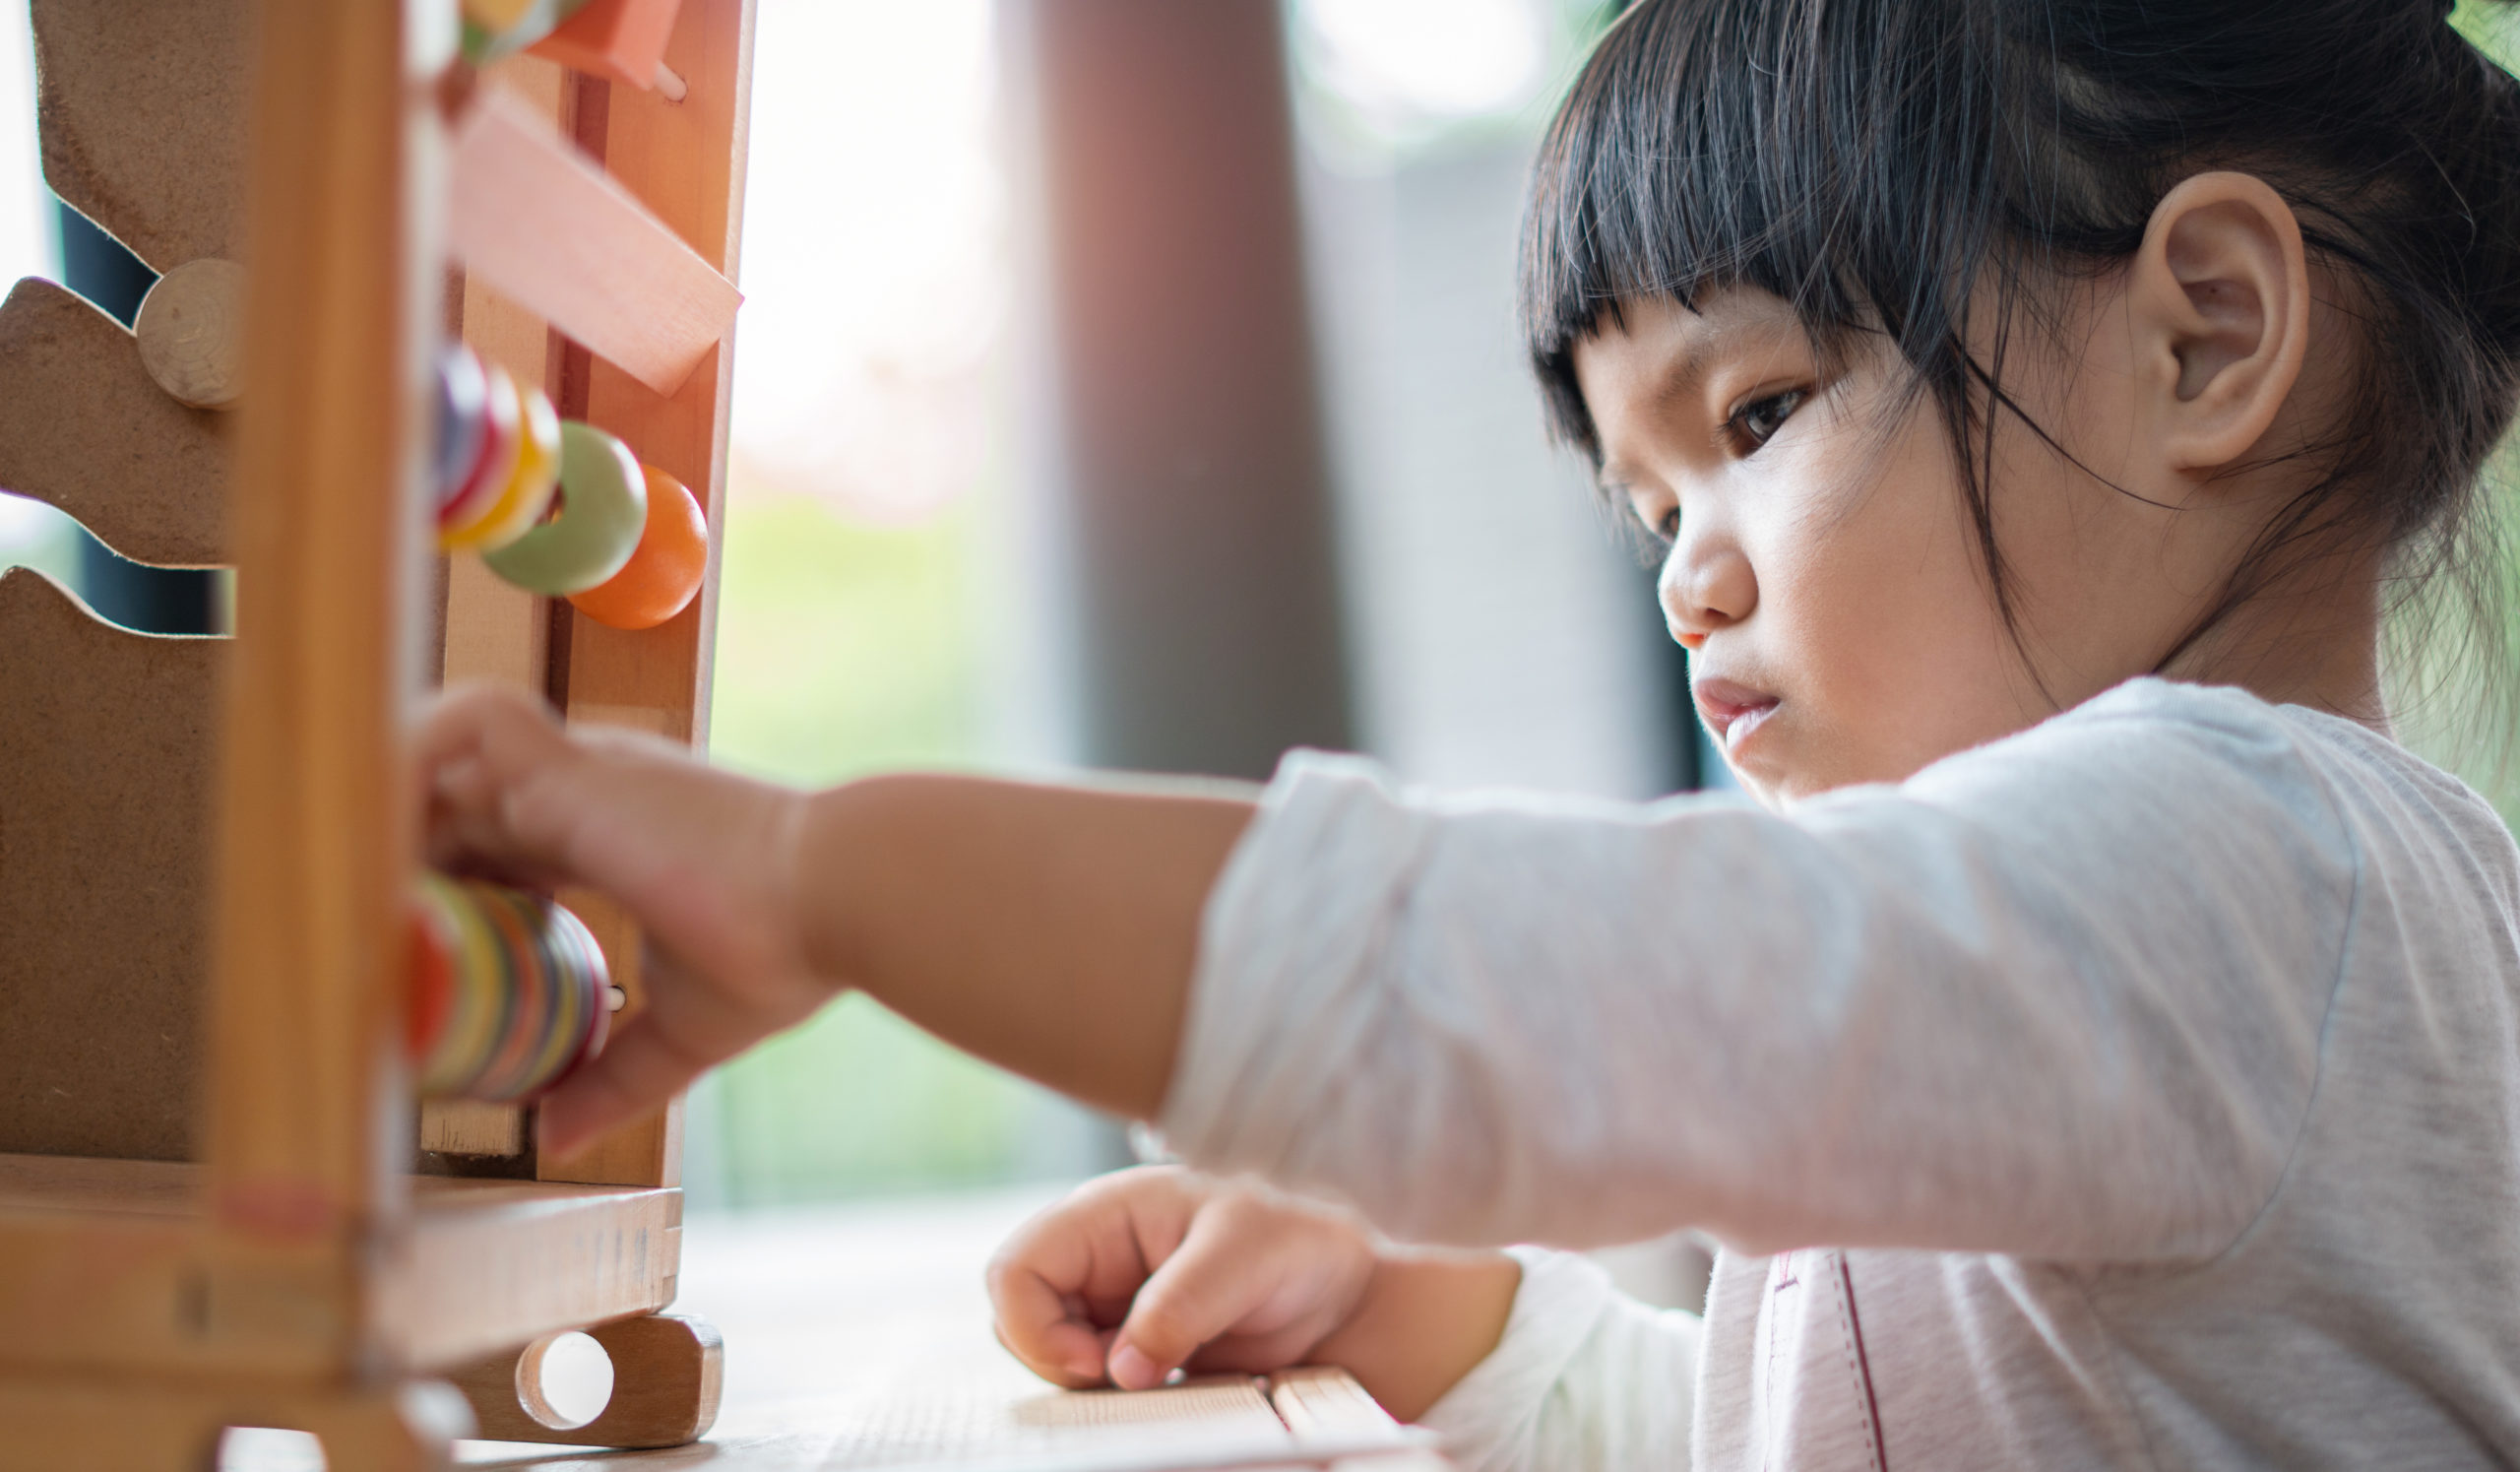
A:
535, 1259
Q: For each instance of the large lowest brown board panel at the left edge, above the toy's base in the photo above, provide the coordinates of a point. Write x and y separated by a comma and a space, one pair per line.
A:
107, 778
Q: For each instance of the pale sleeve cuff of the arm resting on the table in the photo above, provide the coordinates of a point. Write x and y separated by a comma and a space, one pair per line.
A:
1584, 1380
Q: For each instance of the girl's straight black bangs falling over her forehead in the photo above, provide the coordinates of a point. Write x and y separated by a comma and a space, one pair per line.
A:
1833, 155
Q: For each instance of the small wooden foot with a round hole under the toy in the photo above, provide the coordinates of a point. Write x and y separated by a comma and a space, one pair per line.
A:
667, 1377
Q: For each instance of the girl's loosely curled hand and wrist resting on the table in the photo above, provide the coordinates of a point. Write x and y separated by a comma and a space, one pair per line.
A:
1160, 1269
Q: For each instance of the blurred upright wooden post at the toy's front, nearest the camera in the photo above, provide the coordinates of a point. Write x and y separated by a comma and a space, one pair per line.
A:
316, 831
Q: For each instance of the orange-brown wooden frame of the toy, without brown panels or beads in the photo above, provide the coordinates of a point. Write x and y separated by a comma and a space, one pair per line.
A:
304, 1249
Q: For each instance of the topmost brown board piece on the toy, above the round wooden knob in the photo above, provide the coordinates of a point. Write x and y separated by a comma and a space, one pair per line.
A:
145, 110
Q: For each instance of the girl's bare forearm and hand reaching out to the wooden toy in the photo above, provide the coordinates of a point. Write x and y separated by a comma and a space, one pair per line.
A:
1052, 931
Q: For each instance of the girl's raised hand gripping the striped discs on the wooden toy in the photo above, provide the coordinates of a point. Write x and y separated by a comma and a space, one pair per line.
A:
704, 861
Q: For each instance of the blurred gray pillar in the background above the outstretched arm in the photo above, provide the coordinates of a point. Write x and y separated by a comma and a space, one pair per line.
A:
1188, 447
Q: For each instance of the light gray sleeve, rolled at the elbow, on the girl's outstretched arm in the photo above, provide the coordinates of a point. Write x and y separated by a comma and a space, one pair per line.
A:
2058, 997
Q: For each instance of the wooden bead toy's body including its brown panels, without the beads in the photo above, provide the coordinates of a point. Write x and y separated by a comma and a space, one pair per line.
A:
218, 1199
